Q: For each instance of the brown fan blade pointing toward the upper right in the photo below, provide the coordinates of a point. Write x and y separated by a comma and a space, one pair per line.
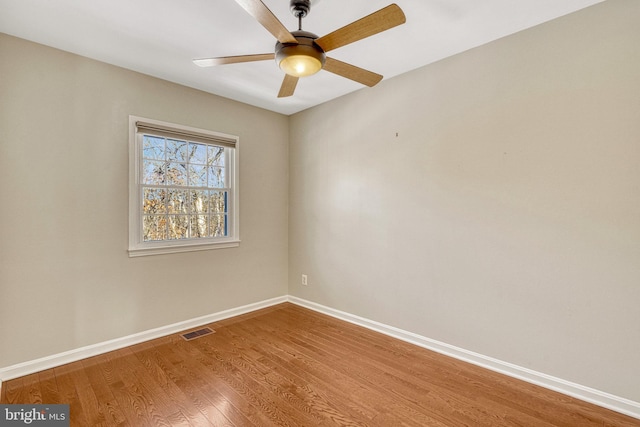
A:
384, 19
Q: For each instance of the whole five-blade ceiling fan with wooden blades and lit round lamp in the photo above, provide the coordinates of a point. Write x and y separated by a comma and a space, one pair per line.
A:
301, 53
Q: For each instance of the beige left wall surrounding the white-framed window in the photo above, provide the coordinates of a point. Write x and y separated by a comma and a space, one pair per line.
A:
66, 280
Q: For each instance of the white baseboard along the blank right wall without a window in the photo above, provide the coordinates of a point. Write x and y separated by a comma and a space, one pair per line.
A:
597, 397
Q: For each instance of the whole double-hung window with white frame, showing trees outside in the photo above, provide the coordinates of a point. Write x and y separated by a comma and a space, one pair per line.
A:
183, 192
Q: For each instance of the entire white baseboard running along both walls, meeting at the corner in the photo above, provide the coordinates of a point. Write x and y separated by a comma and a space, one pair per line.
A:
606, 400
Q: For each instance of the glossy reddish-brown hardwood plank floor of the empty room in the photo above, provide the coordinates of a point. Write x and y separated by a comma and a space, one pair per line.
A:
290, 366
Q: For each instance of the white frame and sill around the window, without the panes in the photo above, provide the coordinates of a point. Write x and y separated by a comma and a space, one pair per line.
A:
138, 247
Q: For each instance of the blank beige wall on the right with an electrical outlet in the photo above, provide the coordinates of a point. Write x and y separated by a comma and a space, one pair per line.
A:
490, 201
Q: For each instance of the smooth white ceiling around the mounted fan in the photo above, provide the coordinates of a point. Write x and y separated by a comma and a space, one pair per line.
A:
161, 37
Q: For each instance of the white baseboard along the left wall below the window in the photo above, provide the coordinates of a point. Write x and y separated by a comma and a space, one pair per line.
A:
48, 362
